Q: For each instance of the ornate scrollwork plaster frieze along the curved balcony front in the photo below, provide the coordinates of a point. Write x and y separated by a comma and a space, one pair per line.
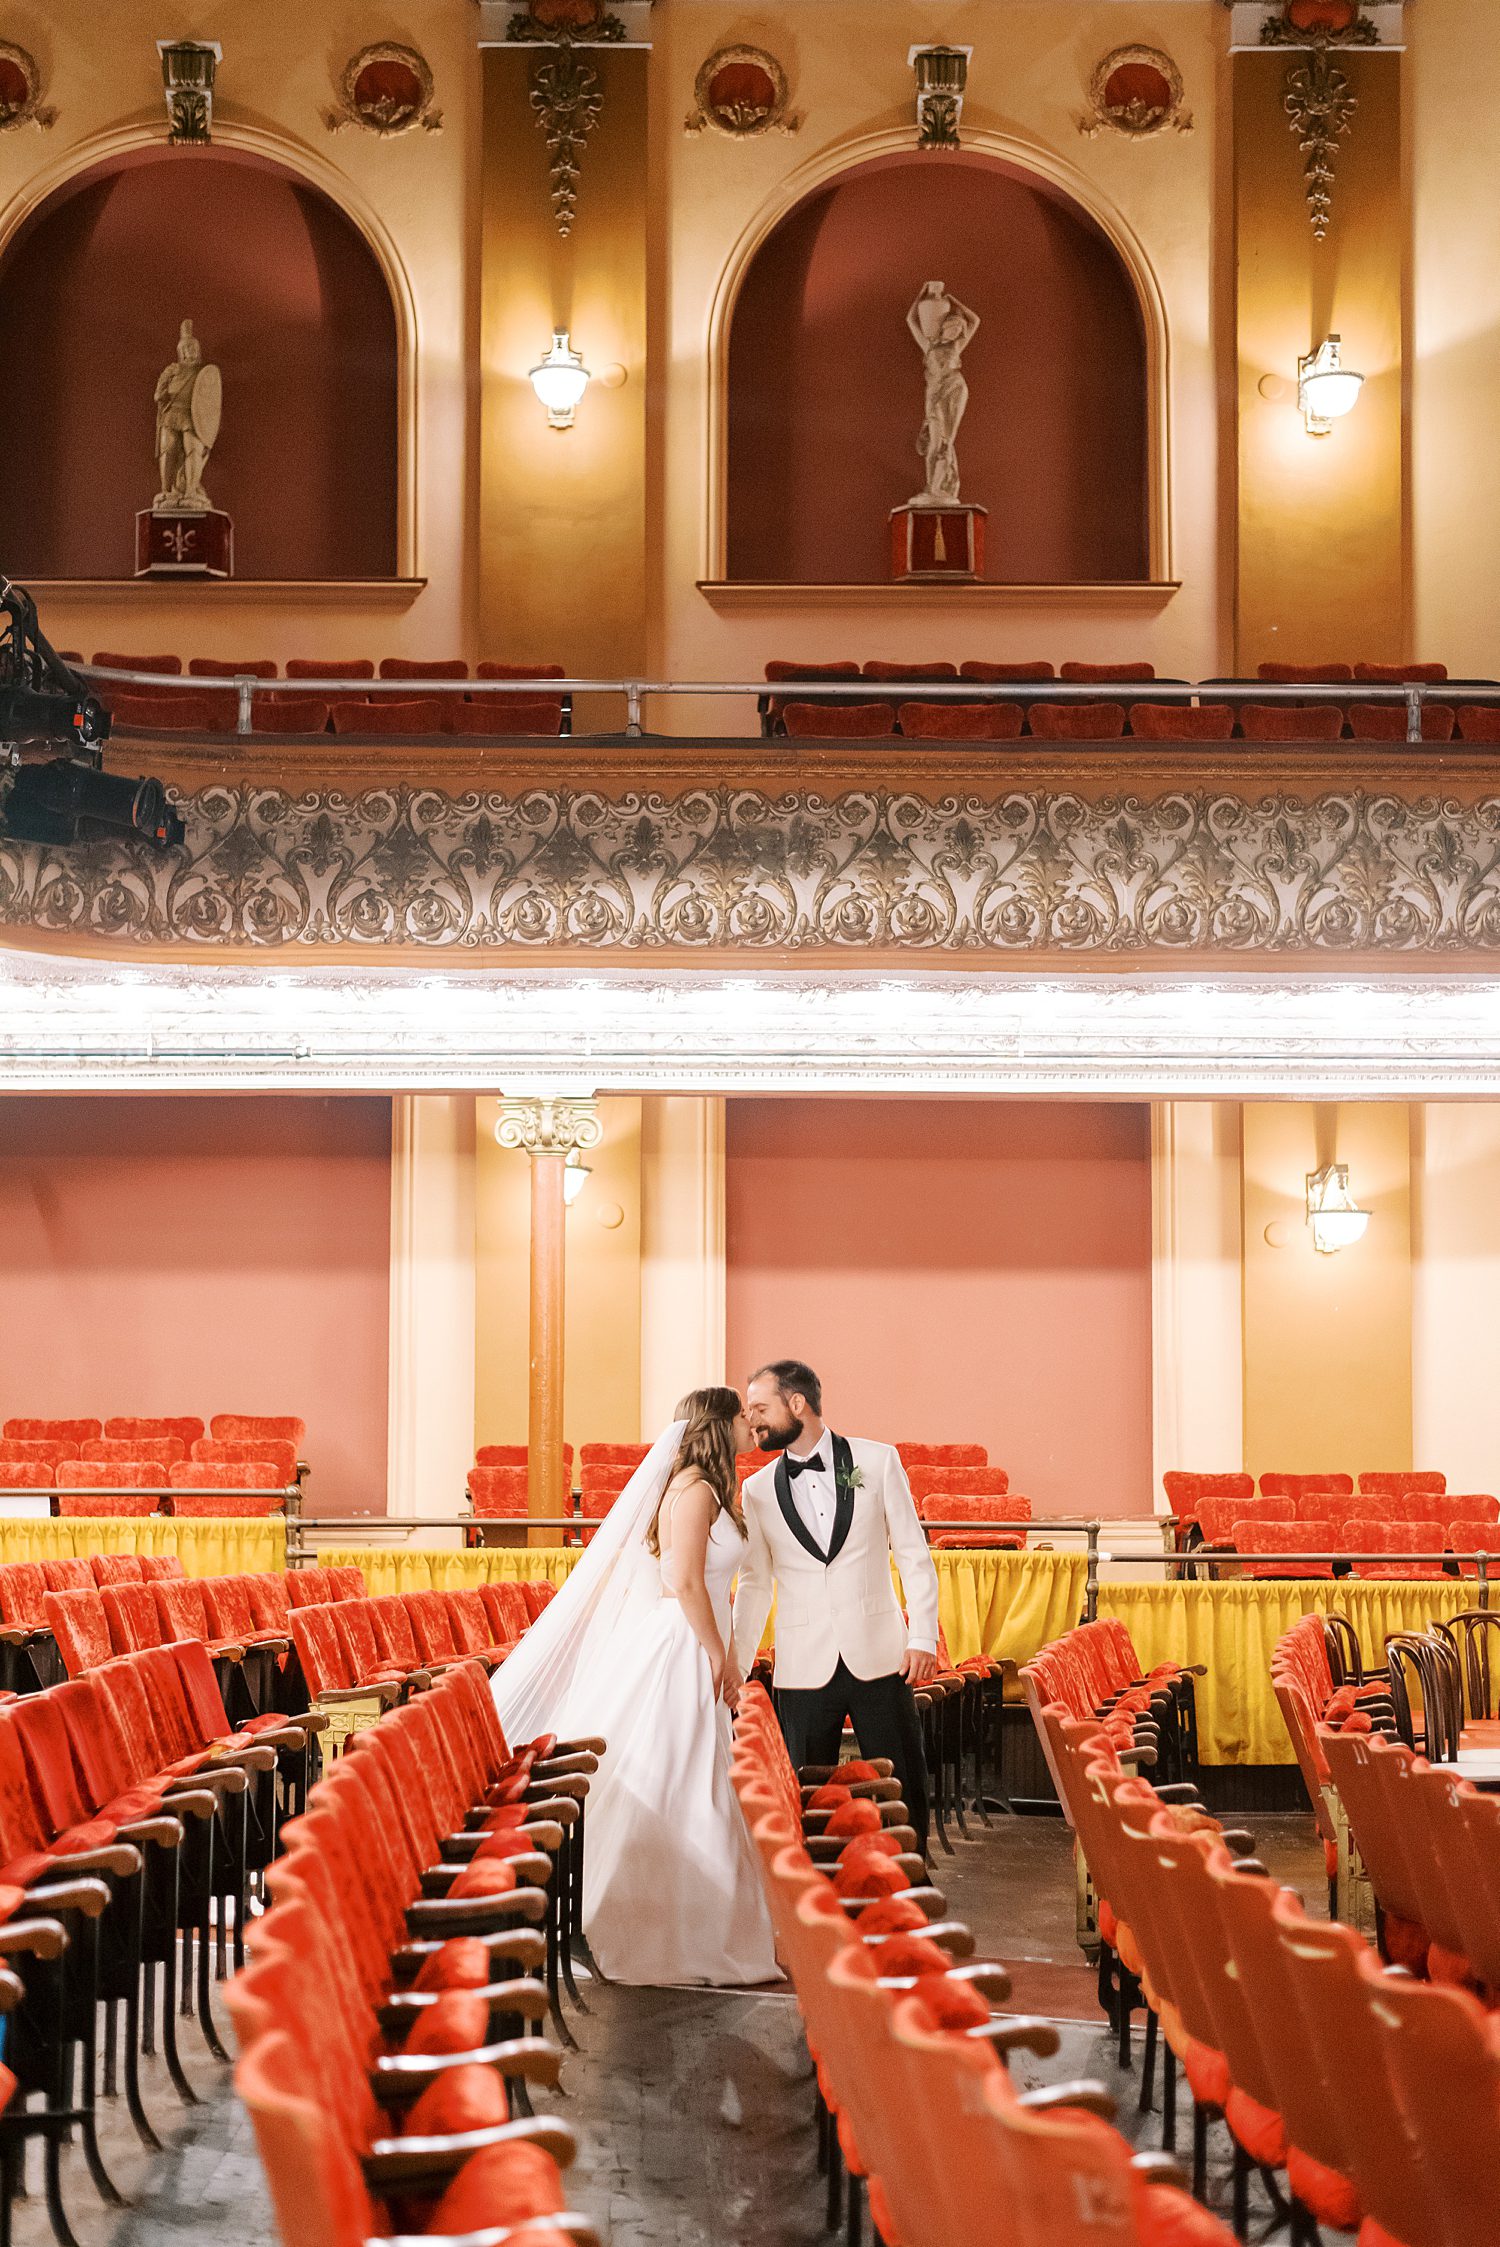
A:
749, 871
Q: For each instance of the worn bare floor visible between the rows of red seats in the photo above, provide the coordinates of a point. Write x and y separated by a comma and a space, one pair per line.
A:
695, 2109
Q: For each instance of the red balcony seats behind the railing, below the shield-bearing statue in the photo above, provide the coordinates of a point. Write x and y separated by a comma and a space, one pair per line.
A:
219, 709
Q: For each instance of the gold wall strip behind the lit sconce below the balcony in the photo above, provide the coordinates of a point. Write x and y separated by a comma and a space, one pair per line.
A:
1328, 1340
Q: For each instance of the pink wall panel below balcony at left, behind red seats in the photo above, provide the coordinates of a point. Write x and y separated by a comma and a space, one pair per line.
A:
203, 1255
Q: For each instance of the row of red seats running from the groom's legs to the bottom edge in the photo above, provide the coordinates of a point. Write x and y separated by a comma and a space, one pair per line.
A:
911, 2064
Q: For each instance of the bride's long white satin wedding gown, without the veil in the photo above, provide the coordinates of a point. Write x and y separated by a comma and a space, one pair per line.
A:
670, 1882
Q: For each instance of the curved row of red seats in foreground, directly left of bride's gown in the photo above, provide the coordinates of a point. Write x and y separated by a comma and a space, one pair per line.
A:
383, 2014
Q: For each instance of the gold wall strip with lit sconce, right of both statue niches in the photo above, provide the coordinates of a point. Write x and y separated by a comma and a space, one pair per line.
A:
1321, 520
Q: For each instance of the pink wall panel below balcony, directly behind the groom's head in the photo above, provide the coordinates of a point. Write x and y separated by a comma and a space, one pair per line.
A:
958, 1271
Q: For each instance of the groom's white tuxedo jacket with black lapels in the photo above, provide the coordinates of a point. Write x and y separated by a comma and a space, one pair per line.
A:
836, 1605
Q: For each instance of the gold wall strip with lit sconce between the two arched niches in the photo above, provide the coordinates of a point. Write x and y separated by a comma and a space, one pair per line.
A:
562, 520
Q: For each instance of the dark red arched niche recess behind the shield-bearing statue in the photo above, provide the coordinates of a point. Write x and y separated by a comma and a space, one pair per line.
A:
286, 298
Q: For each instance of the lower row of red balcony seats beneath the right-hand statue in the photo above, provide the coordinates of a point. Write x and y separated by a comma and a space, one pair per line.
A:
1144, 722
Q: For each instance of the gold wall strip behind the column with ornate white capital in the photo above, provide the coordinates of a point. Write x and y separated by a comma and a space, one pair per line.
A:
603, 1316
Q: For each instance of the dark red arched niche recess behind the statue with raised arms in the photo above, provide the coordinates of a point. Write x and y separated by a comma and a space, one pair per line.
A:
825, 385
